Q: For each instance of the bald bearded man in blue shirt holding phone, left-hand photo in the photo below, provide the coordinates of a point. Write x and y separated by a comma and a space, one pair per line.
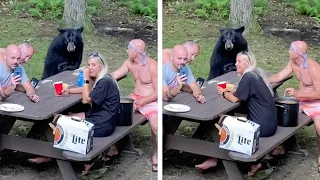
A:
12, 60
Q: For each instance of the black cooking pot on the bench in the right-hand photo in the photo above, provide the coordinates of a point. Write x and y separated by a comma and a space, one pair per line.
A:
287, 111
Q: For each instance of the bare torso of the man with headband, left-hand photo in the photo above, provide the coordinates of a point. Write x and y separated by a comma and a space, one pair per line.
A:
142, 75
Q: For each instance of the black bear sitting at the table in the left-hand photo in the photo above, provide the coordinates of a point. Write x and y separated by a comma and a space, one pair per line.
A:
64, 53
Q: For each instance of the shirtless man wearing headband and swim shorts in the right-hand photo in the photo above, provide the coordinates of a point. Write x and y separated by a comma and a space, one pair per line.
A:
306, 71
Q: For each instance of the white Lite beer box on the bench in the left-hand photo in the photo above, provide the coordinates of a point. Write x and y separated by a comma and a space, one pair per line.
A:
74, 134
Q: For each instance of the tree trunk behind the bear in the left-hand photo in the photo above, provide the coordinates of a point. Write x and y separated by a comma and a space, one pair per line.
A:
74, 13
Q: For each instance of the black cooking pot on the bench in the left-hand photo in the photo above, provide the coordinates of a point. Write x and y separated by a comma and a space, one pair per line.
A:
126, 112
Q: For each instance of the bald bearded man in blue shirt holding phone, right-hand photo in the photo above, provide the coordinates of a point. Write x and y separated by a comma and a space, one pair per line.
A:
173, 83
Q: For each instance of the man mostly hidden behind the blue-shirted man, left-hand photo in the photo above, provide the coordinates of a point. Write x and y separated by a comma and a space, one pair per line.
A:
27, 51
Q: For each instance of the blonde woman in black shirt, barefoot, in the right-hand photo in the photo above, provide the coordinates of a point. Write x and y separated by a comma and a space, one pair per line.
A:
255, 93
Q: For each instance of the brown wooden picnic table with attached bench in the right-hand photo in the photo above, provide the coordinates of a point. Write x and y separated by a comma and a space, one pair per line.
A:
207, 115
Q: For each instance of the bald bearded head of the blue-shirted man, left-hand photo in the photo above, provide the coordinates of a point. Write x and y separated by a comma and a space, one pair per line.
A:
13, 56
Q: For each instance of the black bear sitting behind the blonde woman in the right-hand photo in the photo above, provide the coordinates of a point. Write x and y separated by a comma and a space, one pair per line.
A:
223, 58
